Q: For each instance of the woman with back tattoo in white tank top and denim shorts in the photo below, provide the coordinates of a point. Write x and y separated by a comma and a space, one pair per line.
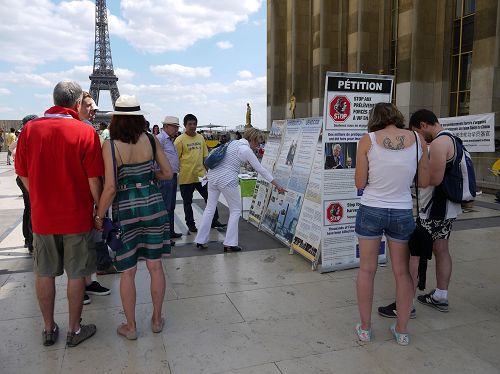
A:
385, 167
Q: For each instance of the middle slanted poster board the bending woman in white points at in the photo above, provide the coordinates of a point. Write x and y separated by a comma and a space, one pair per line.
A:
292, 171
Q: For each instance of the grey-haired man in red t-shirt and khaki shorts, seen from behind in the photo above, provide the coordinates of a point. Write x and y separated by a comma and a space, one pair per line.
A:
60, 161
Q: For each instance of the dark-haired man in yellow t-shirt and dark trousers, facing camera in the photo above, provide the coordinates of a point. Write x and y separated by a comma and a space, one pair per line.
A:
192, 150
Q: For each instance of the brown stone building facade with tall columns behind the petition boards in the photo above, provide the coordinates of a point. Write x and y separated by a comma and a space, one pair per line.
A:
444, 54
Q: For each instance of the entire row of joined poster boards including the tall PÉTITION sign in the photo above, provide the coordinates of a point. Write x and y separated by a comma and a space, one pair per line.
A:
316, 162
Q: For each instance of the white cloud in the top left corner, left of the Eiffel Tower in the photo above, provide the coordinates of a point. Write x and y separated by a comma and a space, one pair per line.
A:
37, 31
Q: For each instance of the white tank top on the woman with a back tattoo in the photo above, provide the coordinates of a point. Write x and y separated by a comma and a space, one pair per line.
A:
390, 175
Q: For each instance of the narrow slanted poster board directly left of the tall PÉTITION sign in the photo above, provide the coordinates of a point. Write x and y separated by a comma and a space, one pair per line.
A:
307, 238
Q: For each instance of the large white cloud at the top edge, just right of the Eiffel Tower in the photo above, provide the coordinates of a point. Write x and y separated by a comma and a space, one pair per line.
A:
157, 26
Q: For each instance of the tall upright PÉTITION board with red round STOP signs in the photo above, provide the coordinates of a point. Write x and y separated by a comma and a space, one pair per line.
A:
348, 100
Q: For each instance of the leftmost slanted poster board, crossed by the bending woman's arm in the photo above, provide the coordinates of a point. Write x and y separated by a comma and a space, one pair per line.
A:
263, 187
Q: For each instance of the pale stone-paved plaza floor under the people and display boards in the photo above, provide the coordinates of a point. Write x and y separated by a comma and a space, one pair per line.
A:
261, 311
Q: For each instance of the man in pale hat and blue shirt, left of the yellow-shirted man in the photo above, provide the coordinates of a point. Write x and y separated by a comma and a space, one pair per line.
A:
168, 188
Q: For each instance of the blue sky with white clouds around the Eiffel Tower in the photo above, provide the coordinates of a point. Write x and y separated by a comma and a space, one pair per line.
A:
176, 56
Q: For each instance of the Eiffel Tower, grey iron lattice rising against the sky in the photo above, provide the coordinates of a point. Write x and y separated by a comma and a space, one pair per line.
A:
103, 77
